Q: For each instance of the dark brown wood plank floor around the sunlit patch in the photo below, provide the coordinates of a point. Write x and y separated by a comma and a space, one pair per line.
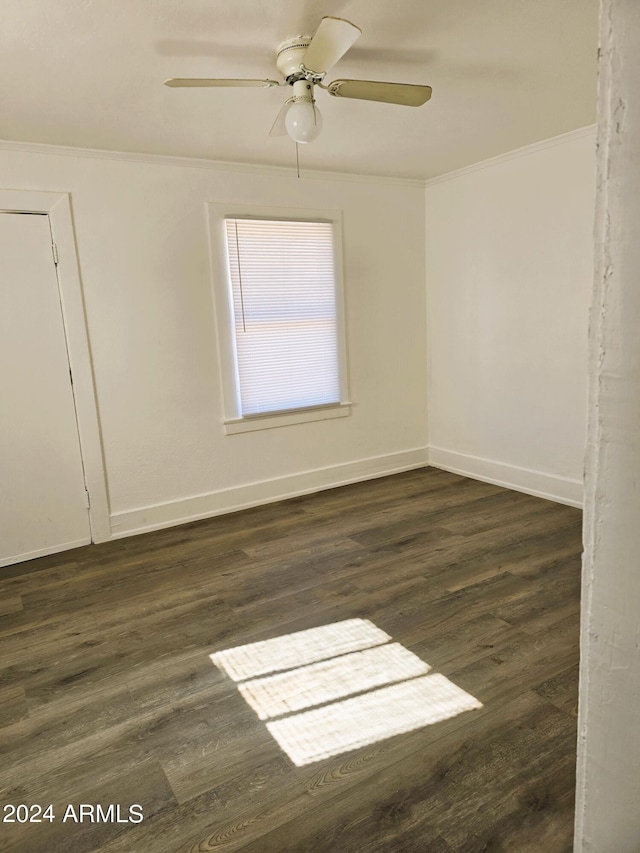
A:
108, 695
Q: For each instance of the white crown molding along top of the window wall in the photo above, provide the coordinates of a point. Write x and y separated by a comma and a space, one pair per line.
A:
201, 163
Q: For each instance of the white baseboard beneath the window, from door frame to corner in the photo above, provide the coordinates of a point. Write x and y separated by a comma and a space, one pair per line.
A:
158, 516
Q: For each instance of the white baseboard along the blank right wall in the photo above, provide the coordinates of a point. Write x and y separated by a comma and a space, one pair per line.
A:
553, 488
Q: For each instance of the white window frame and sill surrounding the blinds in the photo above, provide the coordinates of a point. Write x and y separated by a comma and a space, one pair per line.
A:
233, 419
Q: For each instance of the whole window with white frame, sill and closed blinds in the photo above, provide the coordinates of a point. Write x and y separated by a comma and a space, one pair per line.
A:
283, 354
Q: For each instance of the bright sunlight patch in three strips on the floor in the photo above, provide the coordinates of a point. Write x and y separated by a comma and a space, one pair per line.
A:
329, 690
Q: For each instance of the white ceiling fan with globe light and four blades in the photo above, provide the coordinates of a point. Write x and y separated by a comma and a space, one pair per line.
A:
303, 62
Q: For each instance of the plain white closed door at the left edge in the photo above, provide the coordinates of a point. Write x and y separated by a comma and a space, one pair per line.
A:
43, 502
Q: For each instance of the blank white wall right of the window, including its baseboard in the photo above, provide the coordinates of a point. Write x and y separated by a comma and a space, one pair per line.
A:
509, 254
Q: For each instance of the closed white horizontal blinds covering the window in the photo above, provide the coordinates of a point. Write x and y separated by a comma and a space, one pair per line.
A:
283, 286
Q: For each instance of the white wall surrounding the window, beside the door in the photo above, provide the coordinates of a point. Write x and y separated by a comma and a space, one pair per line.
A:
142, 240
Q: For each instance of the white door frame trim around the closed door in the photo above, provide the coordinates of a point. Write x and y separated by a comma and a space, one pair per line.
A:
58, 208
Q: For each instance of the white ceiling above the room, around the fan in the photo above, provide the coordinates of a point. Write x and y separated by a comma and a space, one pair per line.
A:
505, 73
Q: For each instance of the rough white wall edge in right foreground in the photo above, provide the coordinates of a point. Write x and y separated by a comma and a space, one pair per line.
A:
608, 783
